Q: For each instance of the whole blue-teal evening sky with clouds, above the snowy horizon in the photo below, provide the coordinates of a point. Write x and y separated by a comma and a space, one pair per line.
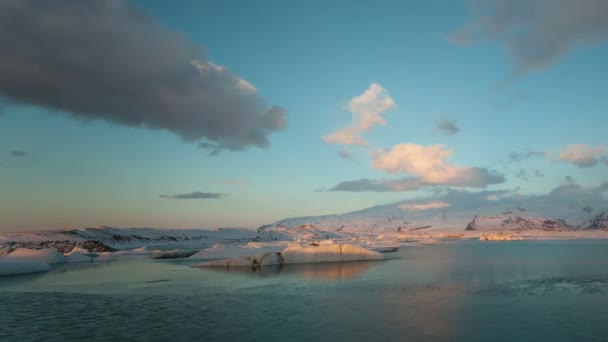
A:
205, 114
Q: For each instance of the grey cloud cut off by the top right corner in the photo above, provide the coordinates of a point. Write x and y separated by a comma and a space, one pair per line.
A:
536, 33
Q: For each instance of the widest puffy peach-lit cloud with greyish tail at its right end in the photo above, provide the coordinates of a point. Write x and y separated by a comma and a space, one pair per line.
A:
429, 163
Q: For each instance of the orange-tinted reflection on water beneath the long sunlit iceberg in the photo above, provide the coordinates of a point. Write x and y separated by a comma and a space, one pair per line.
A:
329, 271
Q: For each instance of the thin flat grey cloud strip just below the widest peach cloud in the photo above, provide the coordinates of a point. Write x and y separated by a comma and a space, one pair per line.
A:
381, 185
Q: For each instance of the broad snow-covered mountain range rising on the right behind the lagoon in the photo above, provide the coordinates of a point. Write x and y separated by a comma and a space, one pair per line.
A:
462, 212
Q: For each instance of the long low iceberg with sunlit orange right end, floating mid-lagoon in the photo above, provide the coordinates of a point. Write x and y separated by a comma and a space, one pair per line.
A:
298, 254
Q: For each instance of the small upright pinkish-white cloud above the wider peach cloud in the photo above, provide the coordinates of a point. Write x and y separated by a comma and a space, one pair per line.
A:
367, 110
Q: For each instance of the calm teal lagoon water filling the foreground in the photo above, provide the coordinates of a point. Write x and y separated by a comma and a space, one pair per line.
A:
457, 291
